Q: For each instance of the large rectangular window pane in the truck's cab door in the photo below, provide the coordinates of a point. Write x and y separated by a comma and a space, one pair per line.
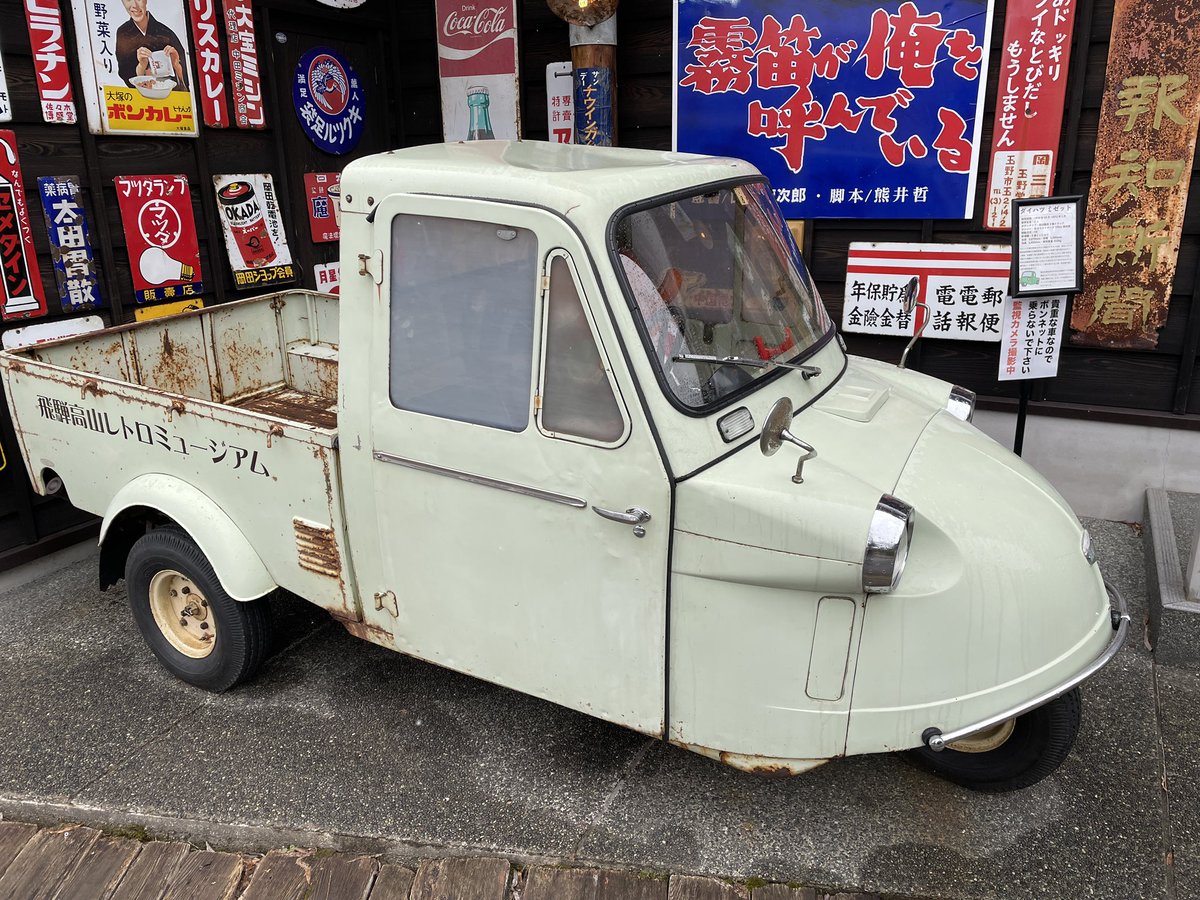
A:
463, 320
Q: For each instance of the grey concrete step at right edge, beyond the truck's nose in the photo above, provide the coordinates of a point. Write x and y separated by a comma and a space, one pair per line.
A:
1172, 520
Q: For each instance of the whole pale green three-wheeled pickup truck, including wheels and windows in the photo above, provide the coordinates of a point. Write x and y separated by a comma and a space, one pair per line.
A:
580, 425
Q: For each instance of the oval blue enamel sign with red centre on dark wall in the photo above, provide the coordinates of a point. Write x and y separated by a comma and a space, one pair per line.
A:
328, 100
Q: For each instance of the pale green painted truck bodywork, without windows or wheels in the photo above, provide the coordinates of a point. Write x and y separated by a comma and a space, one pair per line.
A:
737, 627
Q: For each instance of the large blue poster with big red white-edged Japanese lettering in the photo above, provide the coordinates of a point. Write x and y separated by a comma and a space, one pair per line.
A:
853, 109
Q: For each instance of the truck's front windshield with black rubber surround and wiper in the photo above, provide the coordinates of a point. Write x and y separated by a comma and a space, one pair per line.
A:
718, 277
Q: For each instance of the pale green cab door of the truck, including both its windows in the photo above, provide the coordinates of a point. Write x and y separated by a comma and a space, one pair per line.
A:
523, 507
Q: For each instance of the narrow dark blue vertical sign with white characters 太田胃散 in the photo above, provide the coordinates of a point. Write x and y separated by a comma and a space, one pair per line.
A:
67, 225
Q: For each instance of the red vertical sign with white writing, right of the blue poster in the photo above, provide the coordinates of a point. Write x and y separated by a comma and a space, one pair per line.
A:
1029, 105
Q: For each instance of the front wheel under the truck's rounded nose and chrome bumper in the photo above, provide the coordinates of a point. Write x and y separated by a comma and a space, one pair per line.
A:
1015, 754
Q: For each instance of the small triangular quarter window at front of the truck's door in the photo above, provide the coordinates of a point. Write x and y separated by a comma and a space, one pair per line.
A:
578, 398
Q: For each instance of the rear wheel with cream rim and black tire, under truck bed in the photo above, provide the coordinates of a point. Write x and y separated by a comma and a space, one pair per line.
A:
200, 633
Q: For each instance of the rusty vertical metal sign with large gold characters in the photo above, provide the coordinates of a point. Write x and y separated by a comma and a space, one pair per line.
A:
1144, 151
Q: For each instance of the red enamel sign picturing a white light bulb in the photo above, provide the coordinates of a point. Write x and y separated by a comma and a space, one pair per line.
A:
160, 236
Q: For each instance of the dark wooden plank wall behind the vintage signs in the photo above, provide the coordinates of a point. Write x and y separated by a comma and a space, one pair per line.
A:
1154, 388
